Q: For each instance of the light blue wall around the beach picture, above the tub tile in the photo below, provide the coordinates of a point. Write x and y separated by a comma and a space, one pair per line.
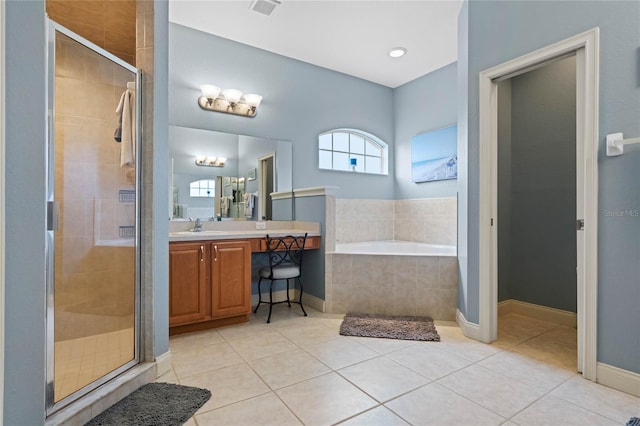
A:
426, 103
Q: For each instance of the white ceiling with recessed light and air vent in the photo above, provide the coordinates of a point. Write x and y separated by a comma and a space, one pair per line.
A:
352, 37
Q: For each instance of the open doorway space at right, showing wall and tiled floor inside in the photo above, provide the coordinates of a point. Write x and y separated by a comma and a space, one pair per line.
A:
536, 197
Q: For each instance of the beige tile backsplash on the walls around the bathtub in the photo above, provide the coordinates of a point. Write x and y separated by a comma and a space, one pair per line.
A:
426, 220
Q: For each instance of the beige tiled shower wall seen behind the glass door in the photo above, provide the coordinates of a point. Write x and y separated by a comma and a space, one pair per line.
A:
89, 268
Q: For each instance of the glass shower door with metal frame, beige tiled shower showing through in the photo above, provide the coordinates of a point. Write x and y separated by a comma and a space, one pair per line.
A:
93, 282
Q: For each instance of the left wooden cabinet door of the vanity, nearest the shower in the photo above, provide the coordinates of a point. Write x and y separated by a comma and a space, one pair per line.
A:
188, 283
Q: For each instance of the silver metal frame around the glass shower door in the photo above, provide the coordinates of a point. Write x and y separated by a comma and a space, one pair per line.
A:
51, 405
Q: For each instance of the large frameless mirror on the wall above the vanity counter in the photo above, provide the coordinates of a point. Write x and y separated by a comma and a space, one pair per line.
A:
238, 190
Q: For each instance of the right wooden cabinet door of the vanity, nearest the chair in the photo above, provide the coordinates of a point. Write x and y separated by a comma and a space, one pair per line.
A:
231, 278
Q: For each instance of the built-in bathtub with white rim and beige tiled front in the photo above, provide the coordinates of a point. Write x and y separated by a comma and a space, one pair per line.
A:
392, 278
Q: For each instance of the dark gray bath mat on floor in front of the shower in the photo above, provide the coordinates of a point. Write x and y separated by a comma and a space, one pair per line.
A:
154, 404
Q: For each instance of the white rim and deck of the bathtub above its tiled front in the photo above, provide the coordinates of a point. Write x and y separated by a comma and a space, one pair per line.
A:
396, 248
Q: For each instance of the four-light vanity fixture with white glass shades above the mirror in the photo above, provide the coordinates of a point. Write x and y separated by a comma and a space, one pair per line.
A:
231, 101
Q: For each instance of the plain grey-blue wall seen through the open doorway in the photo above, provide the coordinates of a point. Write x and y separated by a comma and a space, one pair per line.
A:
536, 178
